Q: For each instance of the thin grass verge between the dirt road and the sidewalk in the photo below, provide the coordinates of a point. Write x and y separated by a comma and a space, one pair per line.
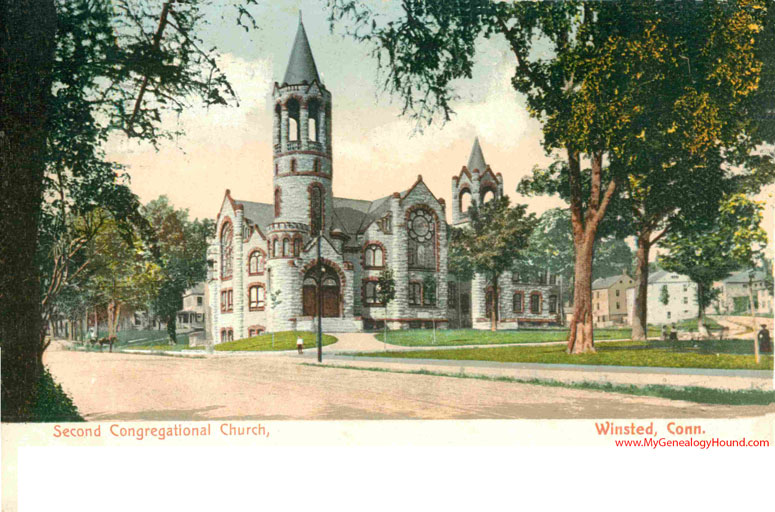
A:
688, 394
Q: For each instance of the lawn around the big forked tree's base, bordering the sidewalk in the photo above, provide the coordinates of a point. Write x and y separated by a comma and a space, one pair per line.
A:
624, 353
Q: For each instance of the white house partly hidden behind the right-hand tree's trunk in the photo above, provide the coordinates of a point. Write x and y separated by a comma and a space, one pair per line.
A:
681, 295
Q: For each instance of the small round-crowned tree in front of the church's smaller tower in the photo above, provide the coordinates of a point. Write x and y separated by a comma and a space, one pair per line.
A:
493, 239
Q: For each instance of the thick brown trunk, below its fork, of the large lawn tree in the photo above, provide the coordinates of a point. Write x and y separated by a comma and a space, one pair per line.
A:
581, 337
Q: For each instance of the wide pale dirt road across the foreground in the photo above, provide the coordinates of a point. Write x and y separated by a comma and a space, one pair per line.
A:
111, 386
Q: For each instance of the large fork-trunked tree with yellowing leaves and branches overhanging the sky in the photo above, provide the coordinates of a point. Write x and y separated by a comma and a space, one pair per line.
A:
591, 72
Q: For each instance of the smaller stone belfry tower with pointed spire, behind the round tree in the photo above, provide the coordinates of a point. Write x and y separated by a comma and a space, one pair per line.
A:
476, 183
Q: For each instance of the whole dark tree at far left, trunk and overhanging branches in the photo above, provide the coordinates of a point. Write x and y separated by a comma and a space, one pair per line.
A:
71, 73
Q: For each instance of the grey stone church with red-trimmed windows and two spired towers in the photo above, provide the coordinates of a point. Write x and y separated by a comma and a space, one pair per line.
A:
263, 261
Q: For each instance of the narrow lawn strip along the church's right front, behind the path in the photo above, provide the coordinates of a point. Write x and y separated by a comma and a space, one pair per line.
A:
451, 337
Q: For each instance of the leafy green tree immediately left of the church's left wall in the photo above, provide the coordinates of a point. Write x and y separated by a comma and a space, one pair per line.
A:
182, 249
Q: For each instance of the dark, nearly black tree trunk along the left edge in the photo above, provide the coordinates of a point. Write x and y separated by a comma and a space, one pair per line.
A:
27, 42
